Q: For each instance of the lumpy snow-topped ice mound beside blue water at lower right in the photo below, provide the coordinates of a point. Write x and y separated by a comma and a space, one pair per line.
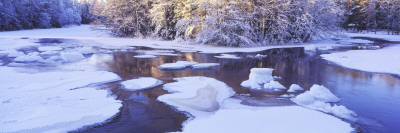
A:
319, 98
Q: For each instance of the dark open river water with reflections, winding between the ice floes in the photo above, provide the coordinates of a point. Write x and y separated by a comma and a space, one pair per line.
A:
375, 97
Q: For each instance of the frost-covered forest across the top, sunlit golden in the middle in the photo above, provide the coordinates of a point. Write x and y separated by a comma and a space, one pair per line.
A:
212, 22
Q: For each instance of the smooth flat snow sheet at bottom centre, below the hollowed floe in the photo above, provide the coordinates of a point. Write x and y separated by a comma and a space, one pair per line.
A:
247, 119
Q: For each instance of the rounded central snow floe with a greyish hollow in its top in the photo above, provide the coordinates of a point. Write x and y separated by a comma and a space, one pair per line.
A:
198, 96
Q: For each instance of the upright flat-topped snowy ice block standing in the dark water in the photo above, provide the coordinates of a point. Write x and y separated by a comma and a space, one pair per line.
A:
257, 77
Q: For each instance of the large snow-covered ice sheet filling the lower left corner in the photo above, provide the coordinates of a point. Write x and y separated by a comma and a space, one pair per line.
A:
54, 101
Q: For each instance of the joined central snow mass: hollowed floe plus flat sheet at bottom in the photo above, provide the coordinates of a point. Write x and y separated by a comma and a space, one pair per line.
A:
208, 101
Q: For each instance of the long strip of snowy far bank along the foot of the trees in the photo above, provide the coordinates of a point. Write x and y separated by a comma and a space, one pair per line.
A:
103, 39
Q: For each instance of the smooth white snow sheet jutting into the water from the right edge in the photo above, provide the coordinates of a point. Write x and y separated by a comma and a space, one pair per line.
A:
384, 60
